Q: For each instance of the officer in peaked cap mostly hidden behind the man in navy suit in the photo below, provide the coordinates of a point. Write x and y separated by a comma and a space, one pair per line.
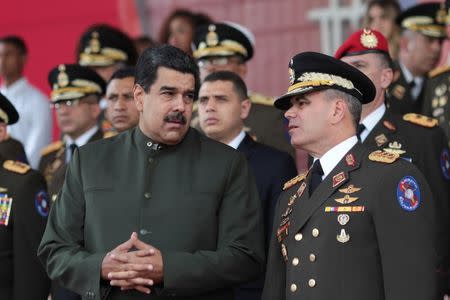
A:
228, 47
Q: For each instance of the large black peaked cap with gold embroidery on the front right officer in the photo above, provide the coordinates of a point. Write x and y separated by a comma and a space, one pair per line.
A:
312, 71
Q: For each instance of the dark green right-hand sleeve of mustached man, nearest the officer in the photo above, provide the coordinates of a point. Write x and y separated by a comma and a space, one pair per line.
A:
240, 252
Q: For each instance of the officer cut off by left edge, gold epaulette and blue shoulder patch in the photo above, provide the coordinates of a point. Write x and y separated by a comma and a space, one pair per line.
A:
23, 213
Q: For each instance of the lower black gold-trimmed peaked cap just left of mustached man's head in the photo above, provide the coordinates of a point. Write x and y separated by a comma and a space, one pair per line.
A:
70, 82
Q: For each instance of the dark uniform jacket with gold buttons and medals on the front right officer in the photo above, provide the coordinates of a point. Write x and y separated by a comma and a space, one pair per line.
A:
371, 248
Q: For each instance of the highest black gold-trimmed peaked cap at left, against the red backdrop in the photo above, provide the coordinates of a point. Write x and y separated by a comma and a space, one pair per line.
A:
103, 45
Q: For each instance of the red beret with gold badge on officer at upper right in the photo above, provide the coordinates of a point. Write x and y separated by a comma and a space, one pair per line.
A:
363, 41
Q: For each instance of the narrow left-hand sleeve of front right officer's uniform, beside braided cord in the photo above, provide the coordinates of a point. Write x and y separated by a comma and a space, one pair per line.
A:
275, 282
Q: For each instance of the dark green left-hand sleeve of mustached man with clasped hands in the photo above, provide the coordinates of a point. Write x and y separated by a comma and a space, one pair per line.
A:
62, 250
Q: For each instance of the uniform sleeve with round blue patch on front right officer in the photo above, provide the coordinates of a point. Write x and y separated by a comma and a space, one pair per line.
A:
406, 235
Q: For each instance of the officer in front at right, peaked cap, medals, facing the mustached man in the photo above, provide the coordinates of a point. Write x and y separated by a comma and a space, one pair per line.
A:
359, 224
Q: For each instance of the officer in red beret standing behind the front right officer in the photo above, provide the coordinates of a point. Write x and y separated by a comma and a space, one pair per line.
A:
414, 137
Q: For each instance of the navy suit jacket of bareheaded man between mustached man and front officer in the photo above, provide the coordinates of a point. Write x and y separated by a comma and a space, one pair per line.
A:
271, 169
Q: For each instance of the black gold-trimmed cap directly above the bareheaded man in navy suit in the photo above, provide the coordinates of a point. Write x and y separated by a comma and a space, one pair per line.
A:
222, 39
